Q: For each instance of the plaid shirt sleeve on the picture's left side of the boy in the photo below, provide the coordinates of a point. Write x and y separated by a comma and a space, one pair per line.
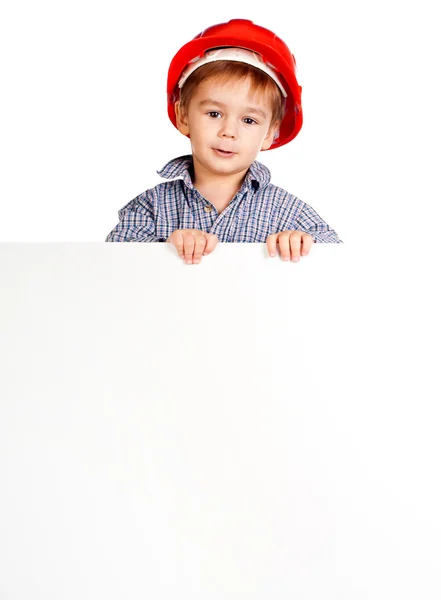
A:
136, 222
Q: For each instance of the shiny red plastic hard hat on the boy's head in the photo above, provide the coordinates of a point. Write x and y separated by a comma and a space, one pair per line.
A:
274, 52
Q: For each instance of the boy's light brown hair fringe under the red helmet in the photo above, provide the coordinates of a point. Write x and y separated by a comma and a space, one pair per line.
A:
223, 71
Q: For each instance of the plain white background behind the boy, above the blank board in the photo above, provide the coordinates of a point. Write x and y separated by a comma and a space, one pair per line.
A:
84, 122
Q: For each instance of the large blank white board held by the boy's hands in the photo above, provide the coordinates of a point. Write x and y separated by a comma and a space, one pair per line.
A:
240, 429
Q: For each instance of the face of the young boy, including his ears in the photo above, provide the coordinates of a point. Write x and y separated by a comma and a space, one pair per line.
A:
229, 117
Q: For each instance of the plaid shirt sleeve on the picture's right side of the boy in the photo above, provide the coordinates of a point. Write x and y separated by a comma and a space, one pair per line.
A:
302, 217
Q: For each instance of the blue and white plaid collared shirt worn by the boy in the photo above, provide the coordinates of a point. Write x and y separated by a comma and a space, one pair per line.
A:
256, 211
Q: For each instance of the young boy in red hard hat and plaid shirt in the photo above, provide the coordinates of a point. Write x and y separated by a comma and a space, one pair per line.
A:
233, 91
